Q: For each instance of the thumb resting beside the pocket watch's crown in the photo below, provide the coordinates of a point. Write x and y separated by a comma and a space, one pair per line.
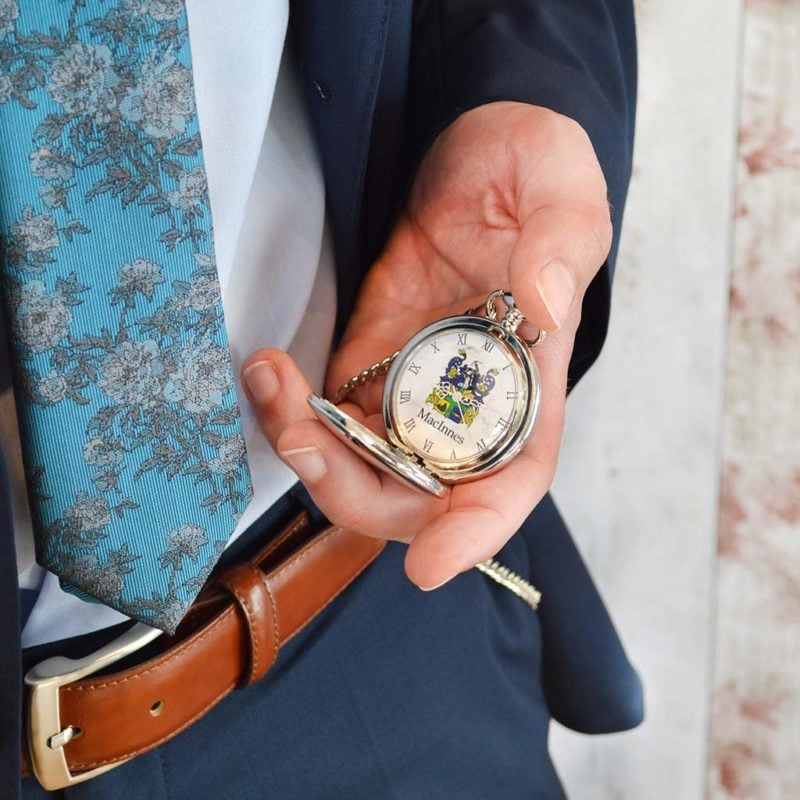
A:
560, 249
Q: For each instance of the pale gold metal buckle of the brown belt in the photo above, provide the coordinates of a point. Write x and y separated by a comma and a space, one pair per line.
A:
46, 735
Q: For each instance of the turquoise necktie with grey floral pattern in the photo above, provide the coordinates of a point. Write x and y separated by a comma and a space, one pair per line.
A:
132, 442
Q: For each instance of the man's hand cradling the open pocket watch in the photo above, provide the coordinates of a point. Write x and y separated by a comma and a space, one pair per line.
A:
509, 196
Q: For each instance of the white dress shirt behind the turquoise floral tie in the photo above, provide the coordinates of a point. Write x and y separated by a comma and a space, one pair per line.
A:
273, 249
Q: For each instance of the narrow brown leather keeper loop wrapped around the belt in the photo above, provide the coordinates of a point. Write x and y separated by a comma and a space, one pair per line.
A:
248, 586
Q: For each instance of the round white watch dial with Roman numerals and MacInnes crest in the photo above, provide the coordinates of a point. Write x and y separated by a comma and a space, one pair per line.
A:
458, 395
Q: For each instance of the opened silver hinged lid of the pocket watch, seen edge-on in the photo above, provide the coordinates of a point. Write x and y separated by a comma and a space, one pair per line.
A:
374, 449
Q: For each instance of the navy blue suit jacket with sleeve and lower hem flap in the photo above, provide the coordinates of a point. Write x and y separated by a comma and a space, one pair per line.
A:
383, 77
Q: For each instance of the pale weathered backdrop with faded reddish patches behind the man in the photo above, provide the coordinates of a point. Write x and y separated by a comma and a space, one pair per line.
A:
680, 474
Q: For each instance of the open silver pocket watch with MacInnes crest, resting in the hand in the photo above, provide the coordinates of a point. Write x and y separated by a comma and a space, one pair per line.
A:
460, 400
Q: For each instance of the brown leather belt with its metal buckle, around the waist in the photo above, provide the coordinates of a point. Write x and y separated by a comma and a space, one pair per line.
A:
78, 727
